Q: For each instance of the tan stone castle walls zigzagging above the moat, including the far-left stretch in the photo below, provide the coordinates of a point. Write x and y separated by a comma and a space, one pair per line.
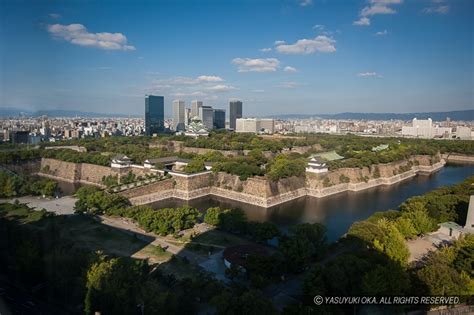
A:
256, 190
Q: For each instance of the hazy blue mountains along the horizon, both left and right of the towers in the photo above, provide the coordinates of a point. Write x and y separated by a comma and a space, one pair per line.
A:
467, 115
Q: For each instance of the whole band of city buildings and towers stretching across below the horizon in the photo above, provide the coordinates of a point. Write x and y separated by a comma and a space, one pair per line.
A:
200, 119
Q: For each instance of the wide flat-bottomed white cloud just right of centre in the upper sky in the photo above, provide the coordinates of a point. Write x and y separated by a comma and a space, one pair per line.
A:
320, 43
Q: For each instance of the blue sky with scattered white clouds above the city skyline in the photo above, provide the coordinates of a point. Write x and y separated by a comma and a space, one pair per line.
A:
278, 57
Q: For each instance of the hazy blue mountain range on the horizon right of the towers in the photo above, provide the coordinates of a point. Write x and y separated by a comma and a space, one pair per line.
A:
466, 115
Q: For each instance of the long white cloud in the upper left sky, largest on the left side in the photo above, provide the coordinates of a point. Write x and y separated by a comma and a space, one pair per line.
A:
77, 34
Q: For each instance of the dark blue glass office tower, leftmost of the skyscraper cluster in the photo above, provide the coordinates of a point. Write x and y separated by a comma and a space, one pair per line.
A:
154, 114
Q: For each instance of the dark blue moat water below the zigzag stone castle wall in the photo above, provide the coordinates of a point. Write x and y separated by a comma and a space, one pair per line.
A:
336, 212
